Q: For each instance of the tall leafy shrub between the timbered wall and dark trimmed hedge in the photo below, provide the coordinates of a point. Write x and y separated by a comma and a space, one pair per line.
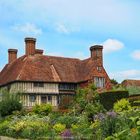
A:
87, 101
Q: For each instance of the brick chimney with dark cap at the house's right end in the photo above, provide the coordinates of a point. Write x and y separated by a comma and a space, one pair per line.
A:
96, 54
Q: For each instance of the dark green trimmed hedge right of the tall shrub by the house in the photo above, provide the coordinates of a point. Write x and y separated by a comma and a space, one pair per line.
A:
108, 98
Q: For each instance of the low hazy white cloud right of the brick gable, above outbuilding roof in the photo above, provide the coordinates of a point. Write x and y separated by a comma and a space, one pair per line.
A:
127, 74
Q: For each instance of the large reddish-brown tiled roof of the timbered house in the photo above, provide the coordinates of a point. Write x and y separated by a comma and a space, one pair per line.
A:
49, 69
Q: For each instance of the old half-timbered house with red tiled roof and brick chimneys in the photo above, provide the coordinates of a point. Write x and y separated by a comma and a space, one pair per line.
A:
45, 79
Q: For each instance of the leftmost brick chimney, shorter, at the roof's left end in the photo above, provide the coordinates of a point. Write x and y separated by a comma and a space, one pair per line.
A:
12, 55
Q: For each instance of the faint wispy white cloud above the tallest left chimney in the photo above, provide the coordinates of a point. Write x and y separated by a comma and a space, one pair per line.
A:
28, 28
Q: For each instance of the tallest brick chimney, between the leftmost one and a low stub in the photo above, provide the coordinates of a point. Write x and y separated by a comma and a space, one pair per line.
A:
30, 46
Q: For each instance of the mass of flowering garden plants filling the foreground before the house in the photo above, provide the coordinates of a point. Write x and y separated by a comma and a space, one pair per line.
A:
86, 120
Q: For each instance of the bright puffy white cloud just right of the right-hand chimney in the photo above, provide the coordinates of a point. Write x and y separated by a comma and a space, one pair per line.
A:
112, 45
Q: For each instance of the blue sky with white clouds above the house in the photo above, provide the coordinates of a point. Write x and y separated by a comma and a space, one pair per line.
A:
69, 27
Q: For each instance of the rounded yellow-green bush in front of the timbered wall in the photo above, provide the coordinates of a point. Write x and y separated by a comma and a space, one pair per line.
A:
43, 109
